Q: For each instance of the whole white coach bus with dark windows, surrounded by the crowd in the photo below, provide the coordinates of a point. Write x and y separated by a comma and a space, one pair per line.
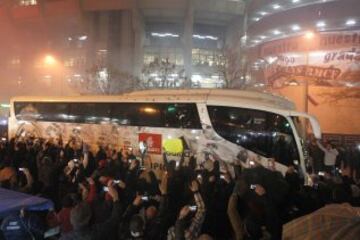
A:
224, 125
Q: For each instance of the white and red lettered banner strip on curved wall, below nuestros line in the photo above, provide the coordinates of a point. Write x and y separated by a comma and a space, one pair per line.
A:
328, 68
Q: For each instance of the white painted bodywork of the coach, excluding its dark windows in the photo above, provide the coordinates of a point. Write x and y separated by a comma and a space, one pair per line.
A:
204, 142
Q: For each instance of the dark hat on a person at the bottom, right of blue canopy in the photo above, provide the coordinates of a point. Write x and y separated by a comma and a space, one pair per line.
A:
80, 216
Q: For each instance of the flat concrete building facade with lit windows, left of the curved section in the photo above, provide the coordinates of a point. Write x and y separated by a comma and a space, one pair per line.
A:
75, 46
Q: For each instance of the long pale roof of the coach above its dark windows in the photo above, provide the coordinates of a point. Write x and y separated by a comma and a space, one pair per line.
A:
229, 97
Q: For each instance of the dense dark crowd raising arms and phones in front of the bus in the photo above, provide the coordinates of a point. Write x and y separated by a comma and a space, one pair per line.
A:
109, 194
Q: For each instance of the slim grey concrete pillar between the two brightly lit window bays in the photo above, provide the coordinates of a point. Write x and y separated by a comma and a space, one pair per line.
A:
188, 41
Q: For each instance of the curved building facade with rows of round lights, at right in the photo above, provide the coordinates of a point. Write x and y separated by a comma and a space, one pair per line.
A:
309, 51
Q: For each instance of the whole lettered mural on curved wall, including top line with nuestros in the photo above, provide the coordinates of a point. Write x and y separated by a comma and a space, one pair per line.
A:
330, 60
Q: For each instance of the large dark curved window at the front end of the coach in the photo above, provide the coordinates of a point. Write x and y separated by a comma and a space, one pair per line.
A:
265, 133
